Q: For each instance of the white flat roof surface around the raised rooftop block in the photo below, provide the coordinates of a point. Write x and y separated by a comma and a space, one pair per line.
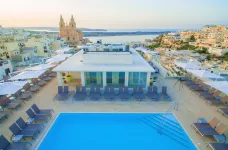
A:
75, 64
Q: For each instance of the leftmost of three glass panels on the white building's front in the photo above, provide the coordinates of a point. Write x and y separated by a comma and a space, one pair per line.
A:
93, 79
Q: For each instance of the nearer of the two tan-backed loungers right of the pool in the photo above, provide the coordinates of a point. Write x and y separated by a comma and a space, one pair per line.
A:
219, 130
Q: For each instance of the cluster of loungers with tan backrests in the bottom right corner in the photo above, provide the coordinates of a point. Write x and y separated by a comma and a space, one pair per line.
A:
214, 129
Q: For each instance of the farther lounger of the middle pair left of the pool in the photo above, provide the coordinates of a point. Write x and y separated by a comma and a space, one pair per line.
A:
24, 126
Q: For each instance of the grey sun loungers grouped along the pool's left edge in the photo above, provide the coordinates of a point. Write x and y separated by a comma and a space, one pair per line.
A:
24, 130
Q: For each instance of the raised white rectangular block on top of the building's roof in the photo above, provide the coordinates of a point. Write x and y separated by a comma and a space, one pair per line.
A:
107, 58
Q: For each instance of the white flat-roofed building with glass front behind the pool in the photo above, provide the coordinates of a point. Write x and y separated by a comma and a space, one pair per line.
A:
106, 68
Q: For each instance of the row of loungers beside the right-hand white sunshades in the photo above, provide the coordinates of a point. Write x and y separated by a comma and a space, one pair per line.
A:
211, 96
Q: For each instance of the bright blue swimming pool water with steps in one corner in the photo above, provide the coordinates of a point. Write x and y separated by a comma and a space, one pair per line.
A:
116, 131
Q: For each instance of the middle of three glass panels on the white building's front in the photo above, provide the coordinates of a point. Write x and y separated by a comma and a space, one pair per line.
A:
115, 78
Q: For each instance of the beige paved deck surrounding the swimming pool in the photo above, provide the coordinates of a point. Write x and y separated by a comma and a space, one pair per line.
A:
190, 108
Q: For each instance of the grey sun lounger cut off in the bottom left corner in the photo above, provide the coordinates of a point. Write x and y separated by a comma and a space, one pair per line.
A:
6, 145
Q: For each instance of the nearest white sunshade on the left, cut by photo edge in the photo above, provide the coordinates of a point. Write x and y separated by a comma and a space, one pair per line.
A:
11, 87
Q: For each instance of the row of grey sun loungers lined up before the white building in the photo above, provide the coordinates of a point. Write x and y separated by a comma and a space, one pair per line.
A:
110, 94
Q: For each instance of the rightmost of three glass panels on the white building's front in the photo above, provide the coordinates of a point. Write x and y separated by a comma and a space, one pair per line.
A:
137, 79
